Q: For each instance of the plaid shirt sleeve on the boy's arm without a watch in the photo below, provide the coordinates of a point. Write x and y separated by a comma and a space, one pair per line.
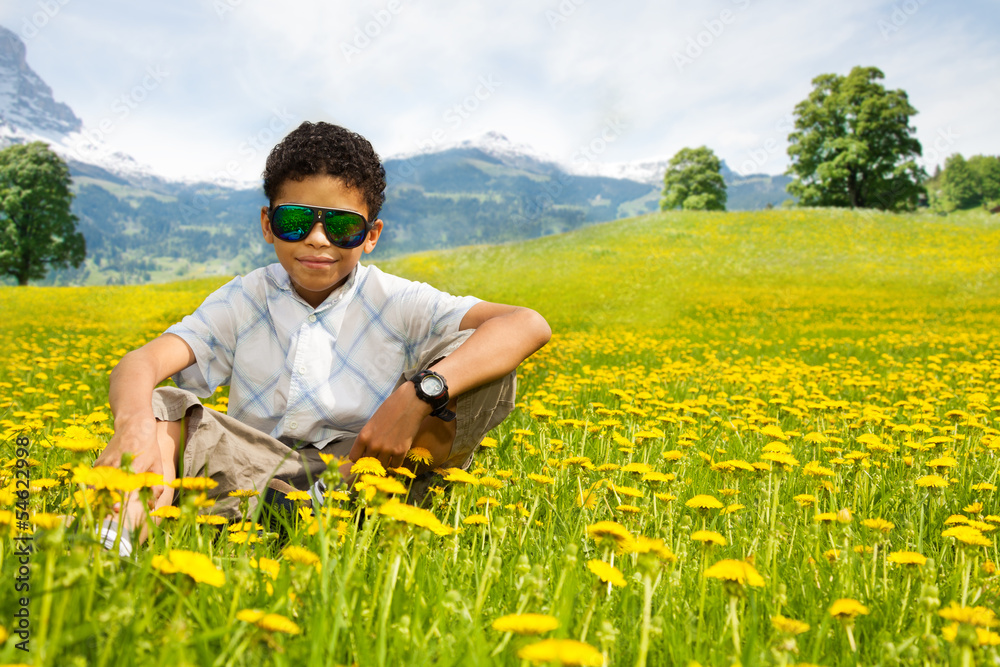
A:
211, 332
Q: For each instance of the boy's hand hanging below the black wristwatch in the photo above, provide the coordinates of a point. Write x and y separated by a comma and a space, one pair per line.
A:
389, 434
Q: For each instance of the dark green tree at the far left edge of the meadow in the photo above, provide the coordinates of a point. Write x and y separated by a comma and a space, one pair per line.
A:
37, 229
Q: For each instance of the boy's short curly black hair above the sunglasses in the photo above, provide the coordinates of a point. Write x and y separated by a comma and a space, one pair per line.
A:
324, 148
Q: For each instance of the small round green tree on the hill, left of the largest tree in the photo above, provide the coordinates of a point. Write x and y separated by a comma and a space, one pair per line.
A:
694, 181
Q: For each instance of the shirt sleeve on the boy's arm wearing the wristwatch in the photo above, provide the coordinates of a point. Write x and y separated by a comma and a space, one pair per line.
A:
429, 315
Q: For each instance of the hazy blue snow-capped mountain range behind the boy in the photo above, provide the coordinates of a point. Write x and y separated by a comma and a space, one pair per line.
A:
140, 227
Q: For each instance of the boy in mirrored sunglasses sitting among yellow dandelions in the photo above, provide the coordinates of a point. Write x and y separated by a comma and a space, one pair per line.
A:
320, 352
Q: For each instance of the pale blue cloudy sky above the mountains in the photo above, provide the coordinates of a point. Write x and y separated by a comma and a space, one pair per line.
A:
204, 88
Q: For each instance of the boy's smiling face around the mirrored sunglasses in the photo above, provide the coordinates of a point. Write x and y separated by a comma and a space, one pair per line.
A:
316, 266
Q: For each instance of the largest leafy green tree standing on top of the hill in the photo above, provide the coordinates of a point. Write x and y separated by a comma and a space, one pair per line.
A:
853, 144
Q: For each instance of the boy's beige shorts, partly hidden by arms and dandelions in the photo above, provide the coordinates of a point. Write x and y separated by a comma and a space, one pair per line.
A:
237, 456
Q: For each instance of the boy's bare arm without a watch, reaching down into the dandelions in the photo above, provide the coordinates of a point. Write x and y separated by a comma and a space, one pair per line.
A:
130, 394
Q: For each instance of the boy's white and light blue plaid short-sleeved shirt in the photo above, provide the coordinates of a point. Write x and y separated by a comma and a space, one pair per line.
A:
304, 375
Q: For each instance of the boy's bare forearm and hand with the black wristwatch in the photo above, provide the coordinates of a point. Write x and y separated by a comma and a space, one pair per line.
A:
504, 336
